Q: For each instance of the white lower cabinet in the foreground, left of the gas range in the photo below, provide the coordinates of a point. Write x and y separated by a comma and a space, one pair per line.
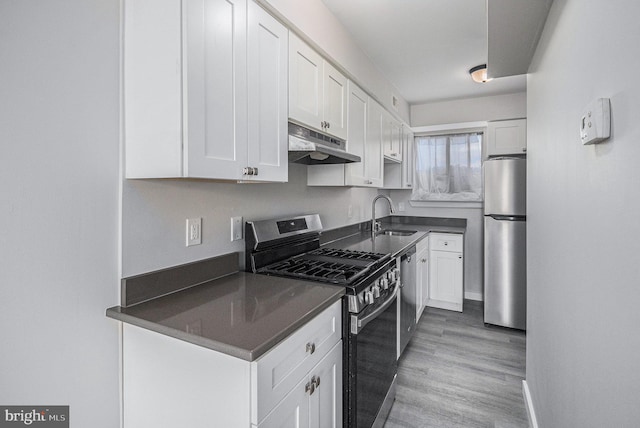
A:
170, 383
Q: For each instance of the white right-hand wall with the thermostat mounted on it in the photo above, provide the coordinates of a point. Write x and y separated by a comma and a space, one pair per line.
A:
583, 345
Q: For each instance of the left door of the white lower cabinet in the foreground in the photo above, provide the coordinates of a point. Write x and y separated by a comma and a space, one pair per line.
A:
292, 411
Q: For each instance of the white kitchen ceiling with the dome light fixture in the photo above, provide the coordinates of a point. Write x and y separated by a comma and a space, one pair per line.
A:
425, 48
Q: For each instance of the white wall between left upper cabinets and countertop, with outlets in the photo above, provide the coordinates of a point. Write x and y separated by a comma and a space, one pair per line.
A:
154, 214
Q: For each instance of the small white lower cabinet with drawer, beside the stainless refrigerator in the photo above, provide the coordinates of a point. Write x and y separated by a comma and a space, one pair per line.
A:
445, 271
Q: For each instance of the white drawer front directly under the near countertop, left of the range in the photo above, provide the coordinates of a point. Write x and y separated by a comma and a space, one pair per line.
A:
275, 374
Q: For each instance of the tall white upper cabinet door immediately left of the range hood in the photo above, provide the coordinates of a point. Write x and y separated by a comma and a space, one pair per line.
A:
267, 53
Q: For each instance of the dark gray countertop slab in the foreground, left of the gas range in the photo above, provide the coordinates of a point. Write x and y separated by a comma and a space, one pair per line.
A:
243, 315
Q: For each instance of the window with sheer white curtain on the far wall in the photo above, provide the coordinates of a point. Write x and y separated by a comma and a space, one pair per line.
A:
448, 167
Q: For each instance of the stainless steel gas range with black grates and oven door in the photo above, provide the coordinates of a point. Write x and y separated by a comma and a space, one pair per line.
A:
290, 247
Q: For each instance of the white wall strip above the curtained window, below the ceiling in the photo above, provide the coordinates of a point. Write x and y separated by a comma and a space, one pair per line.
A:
496, 107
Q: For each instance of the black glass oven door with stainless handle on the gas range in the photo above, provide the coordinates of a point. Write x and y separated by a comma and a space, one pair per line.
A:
372, 364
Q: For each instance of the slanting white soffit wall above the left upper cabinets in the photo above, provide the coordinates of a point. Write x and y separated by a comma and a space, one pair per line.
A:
315, 21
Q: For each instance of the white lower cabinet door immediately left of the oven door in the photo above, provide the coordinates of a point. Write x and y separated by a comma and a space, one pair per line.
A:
325, 410
